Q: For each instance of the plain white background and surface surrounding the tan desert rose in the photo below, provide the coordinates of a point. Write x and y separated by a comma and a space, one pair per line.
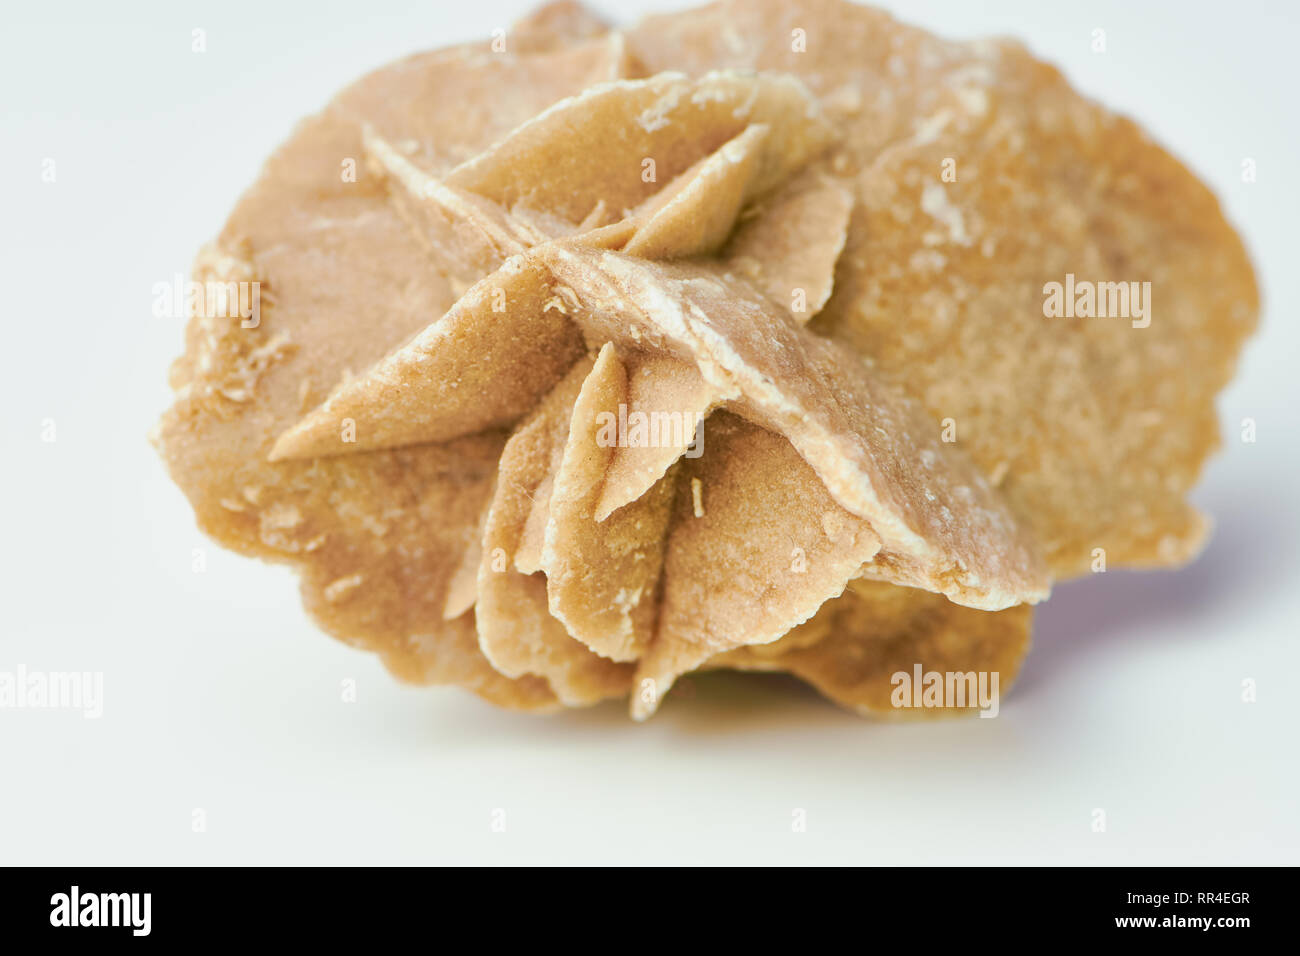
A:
220, 694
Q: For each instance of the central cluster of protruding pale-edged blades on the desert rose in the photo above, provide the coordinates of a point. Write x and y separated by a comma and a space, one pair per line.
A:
610, 563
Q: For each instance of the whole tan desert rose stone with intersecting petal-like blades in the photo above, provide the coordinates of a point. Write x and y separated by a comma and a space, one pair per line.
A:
726, 341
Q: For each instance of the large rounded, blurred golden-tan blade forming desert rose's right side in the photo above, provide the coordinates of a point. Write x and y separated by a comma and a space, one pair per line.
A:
980, 178
